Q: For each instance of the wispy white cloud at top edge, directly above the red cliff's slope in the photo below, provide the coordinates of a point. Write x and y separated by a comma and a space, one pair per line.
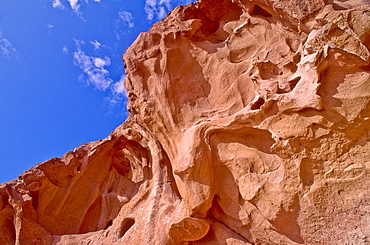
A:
157, 9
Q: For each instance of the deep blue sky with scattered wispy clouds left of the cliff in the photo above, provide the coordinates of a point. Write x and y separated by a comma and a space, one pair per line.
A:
61, 73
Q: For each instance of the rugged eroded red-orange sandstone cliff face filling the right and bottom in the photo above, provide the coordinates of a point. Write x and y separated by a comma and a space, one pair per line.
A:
249, 124
